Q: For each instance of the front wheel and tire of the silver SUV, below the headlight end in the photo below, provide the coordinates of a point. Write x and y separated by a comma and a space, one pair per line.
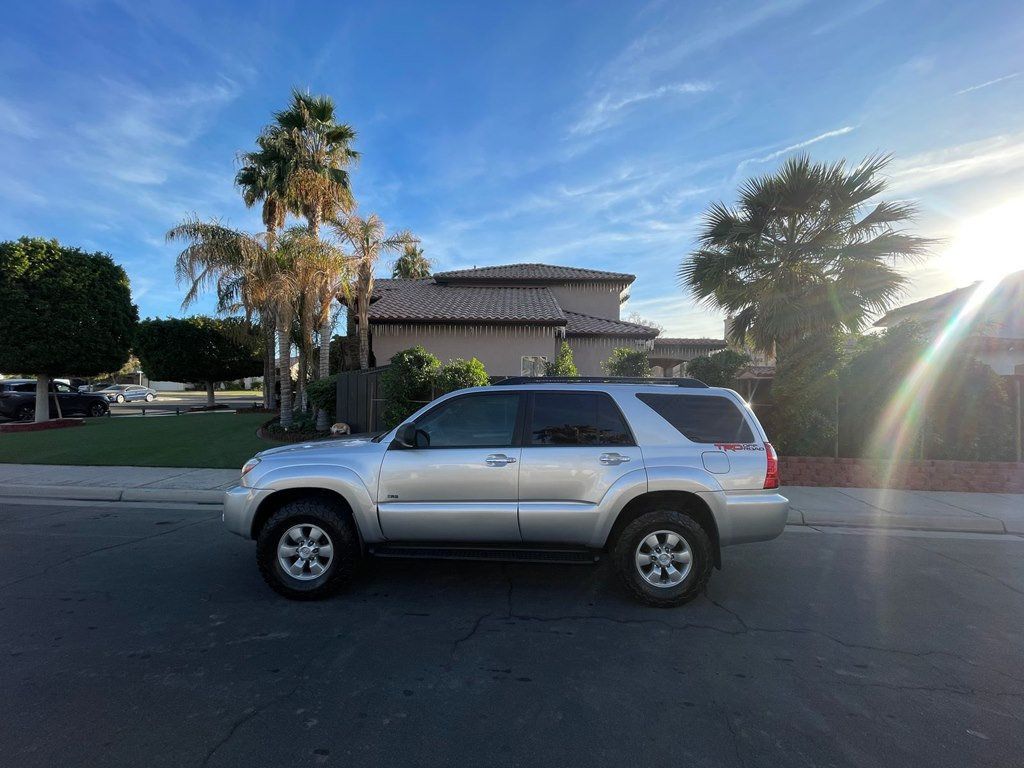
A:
308, 550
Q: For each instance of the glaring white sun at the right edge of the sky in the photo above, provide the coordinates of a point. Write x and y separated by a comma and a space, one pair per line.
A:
988, 246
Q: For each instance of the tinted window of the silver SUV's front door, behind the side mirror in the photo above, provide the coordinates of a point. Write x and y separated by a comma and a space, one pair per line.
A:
473, 421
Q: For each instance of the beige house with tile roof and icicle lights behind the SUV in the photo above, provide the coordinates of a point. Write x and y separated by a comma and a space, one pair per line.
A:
513, 318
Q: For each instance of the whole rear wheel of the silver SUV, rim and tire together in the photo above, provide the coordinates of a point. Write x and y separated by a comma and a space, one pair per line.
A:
665, 559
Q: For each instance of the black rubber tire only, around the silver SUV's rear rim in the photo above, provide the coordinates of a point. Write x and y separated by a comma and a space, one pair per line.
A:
684, 526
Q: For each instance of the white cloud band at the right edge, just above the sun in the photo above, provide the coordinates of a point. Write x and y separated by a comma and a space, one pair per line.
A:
994, 156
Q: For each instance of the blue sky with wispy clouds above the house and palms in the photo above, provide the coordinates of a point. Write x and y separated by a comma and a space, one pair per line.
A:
584, 134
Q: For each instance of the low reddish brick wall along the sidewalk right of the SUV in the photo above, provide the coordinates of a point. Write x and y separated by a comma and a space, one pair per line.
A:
992, 478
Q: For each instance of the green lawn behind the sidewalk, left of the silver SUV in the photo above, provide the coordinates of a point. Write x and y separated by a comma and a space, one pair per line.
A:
225, 441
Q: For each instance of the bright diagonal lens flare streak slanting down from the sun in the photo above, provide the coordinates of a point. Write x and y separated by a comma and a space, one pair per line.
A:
902, 420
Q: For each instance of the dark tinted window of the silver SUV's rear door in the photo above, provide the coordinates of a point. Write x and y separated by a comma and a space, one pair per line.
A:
577, 419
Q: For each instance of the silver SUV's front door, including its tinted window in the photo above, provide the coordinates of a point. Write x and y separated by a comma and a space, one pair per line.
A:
460, 483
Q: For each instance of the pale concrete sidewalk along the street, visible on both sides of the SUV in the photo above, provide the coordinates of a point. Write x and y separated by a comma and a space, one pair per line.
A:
925, 510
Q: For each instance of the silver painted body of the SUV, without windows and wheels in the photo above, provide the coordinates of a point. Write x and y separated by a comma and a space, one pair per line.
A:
549, 495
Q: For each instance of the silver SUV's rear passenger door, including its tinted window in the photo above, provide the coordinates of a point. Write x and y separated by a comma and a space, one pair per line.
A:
576, 447
